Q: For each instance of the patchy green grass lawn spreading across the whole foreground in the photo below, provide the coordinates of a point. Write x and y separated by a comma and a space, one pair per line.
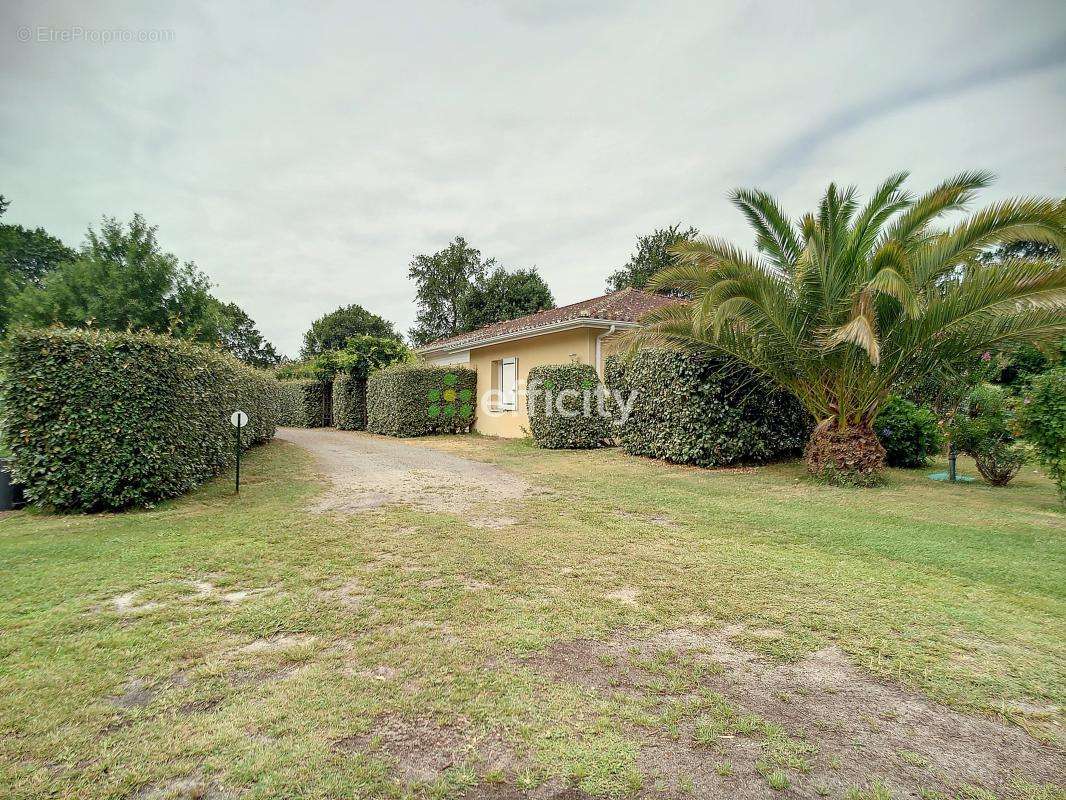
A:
223, 646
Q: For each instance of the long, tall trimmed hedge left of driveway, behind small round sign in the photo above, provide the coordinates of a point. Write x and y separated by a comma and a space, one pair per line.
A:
105, 421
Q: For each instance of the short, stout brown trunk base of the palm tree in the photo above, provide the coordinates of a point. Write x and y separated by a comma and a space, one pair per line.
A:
846, 456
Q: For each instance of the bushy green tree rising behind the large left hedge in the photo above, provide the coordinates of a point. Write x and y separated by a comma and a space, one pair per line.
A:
122, 280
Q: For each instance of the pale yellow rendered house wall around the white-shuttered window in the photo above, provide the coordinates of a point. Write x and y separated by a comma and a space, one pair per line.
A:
556, 348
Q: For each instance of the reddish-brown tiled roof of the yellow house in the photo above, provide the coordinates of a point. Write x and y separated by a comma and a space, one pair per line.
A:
627, 306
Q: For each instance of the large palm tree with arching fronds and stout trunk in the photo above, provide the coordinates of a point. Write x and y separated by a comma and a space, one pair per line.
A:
850, 303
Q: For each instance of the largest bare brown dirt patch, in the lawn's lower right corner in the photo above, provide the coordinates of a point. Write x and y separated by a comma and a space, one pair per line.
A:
817, 726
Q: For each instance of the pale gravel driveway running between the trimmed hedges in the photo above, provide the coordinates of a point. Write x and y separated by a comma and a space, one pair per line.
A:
369, 472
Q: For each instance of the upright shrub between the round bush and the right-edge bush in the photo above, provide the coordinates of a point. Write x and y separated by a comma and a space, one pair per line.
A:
983, 428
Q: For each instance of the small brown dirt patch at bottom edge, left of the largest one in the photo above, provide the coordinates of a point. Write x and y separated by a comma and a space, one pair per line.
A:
422, 750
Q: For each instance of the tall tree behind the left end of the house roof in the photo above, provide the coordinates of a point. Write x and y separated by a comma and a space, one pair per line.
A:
443, 281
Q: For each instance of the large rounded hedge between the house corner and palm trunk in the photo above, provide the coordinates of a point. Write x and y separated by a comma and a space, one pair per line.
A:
709, 412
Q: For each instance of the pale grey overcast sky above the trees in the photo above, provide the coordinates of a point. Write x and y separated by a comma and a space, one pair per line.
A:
302, 156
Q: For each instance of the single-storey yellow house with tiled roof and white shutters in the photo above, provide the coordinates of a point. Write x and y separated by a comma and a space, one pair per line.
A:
505, 353
